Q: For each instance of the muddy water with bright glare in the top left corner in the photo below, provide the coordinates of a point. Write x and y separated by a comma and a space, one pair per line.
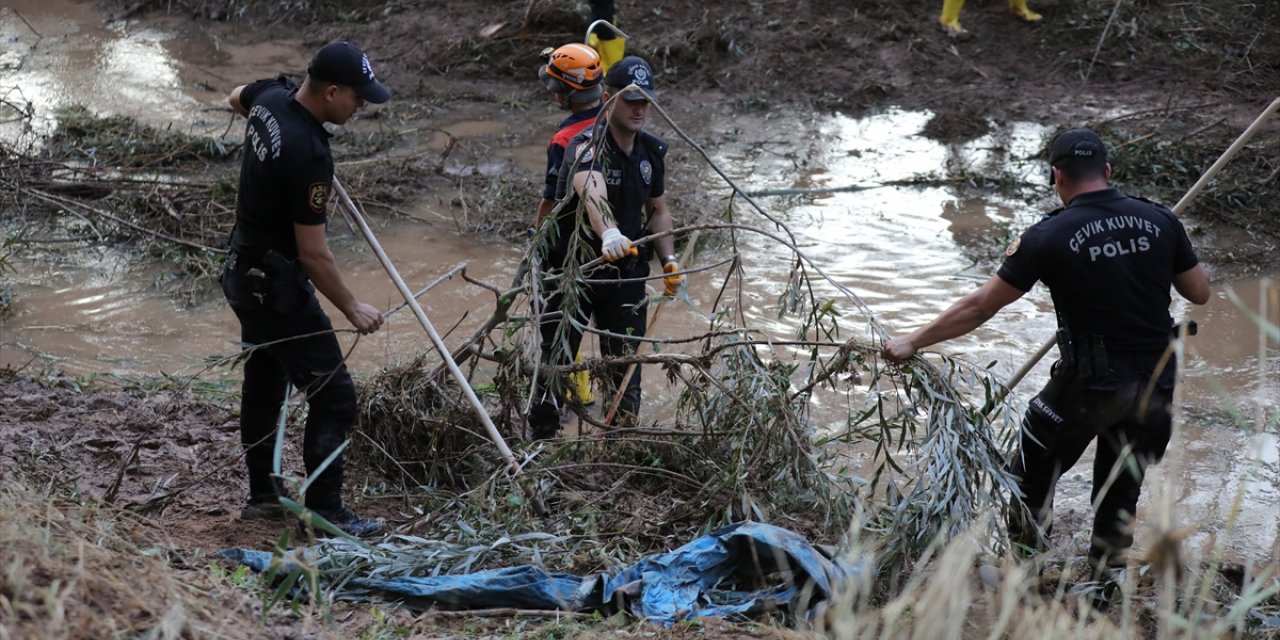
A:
61, 53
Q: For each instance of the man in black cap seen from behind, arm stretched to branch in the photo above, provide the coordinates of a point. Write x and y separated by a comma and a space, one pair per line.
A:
1109, 262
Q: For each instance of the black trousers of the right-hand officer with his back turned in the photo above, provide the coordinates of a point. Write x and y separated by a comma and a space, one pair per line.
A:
1132, 433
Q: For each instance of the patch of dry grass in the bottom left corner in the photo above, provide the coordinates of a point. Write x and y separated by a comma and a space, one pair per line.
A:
76, 570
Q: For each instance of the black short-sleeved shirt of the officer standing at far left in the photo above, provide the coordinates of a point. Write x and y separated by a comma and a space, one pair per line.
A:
286, 171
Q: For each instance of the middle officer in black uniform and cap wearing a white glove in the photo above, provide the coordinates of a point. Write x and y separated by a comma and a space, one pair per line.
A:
615, 180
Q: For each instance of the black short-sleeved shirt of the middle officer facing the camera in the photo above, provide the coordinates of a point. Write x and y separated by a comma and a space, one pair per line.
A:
630, 182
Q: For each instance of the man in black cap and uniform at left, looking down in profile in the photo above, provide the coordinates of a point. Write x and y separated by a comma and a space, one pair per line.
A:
278, 259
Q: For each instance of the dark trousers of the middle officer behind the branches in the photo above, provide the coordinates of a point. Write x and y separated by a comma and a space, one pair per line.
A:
616, 308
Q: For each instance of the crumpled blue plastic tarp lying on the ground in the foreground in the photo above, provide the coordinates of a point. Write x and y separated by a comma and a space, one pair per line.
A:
697, 580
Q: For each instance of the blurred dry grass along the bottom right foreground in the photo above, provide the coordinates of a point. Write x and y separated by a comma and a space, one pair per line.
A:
961, 593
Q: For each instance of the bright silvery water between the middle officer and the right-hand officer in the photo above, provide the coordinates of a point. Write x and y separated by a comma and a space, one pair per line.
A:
902, 250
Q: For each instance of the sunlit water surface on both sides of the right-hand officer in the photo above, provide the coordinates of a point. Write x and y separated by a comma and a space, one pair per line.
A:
909, 253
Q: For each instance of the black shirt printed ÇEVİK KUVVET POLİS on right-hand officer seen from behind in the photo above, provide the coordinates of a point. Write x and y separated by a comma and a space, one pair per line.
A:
1109, 262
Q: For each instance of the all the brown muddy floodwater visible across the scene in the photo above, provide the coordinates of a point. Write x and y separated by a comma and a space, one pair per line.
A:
908, 253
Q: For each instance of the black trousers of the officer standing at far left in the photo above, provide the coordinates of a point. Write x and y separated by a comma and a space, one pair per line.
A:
314, 364
